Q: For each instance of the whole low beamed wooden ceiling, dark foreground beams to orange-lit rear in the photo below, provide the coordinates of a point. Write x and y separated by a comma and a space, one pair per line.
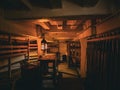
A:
58, 19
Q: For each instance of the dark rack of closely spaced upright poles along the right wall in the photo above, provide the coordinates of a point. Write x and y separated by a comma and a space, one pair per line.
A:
103, 61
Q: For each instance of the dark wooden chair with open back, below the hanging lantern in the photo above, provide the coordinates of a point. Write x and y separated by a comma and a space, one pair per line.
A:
48, 70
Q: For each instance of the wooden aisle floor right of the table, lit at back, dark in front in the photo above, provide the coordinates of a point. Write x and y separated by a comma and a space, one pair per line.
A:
70, 79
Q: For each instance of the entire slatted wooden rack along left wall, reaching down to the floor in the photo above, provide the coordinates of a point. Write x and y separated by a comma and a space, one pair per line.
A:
14, 50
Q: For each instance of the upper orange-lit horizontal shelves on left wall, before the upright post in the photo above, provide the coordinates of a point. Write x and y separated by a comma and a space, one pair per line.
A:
11, 46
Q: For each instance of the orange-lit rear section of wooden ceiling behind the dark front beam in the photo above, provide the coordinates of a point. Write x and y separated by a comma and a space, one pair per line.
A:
59, 28
